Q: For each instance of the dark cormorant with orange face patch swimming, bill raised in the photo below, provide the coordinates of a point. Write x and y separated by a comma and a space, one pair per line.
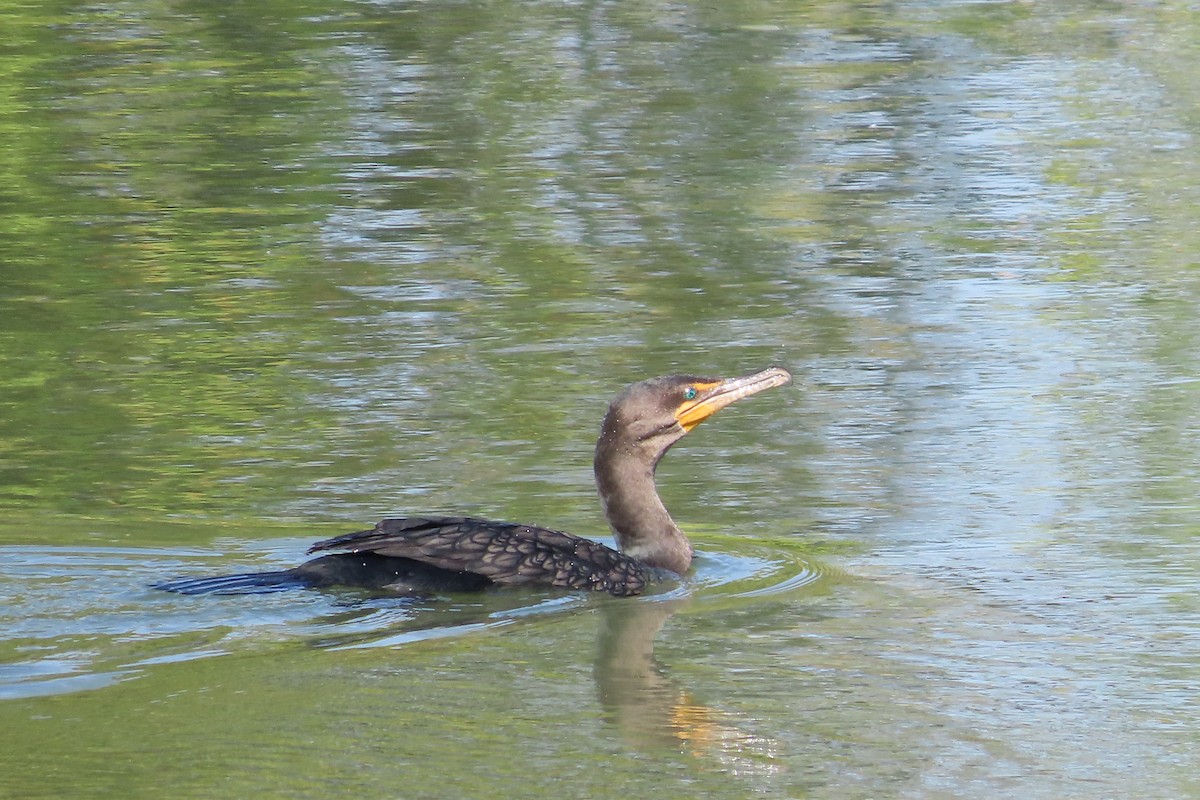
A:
424, 555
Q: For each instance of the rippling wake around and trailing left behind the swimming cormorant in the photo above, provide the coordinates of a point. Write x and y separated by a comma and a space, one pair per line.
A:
82, 618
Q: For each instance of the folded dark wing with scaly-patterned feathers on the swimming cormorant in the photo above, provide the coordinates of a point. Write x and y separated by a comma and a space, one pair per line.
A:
503, 552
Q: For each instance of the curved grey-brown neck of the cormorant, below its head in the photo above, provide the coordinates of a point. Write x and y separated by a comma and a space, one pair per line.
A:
635, 513
